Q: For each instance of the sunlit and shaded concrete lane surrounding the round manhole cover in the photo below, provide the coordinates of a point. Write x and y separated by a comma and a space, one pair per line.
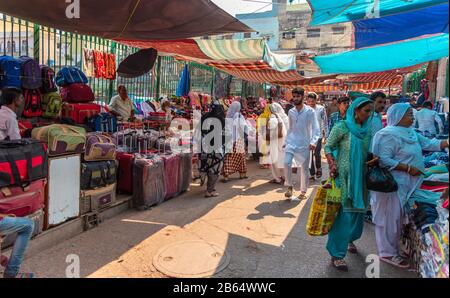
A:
263, 234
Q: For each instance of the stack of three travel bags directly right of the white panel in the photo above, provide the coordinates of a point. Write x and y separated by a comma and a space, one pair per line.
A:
98, 173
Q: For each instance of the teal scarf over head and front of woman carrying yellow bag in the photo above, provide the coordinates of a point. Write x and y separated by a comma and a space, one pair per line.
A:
358, 156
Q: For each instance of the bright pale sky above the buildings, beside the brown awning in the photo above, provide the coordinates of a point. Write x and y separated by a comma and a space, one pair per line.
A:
234, 7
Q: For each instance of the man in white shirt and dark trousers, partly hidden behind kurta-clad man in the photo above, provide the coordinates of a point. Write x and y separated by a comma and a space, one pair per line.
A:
321, 115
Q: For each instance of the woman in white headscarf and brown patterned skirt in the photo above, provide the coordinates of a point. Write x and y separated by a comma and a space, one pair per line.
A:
235, 128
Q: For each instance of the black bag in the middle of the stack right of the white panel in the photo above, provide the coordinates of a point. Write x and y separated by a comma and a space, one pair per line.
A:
98, 174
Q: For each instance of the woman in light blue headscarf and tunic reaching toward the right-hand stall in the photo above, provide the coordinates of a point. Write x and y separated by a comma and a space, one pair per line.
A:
399, 148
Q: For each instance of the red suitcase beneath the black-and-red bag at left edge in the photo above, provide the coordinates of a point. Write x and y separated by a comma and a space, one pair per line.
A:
22, 202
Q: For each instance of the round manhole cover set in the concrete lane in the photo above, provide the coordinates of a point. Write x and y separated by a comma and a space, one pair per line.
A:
194, 258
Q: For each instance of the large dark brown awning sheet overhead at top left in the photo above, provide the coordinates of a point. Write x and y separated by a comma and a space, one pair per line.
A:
129, 19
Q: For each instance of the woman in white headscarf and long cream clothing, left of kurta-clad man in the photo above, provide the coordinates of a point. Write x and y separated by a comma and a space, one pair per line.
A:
276, 150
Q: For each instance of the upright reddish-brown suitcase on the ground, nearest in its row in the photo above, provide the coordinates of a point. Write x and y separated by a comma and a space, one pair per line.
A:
148, 182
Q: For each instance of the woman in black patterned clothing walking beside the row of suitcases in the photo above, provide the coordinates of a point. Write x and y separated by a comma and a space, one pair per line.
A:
211, 157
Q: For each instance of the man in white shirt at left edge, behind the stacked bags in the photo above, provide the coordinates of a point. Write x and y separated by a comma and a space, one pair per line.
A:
11, 101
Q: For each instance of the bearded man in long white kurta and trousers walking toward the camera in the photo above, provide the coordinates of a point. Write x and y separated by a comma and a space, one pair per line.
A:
302, 137
